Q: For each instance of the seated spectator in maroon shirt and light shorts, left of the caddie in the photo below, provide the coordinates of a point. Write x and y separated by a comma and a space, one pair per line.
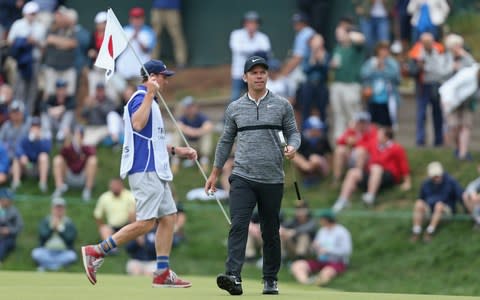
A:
76, 165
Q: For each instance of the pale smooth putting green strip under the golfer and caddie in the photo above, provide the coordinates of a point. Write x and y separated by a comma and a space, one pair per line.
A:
73, 286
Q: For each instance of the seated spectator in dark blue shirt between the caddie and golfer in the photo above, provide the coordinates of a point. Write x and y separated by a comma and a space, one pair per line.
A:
197, 129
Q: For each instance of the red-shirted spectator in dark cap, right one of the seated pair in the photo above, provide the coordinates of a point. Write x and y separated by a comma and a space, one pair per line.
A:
388, 165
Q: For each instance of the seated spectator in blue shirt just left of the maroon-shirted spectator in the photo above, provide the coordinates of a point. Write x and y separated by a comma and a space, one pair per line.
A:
32, 156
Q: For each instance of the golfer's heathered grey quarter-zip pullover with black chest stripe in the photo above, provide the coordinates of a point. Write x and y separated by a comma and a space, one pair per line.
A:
259, 154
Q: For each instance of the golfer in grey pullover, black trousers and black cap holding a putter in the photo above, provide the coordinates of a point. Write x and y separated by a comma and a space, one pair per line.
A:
257, 176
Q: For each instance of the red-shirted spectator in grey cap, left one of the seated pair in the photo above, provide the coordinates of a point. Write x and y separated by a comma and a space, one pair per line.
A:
353, 145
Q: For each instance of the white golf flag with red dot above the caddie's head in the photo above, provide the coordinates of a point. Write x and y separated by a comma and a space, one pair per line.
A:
114, 42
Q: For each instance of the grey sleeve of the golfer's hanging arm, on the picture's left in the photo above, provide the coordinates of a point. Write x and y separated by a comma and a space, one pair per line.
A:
225, 144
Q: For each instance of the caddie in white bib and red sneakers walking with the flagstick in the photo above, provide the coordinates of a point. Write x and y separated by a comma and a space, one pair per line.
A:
145, 159
